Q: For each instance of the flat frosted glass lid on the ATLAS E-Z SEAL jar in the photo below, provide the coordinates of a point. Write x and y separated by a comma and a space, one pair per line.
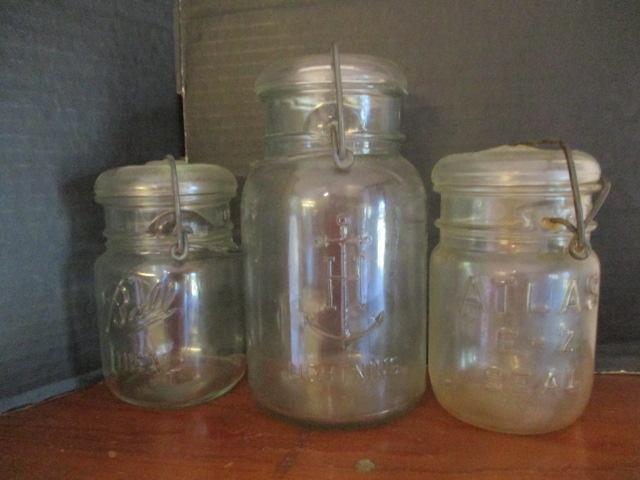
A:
513, 166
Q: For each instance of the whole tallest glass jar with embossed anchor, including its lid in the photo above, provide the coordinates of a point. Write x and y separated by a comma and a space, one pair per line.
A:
335, 259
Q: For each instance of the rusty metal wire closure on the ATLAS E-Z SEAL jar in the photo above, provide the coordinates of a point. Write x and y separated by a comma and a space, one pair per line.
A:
579, 247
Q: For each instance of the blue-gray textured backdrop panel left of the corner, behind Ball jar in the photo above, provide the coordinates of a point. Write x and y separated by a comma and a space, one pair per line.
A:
84, 86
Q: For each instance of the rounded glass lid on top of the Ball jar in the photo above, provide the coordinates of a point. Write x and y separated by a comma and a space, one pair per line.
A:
153, 179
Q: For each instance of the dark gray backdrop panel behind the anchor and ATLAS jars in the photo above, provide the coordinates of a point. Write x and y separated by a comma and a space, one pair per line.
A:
481, 73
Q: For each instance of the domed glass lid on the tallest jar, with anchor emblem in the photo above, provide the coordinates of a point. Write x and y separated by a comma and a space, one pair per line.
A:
359, 72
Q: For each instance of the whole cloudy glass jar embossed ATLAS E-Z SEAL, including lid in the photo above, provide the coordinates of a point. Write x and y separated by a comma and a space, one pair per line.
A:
512, 316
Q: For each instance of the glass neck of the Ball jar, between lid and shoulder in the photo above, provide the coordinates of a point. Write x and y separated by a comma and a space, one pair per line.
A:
151, 229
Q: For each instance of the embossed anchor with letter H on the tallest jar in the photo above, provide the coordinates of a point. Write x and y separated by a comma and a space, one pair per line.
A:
344, 317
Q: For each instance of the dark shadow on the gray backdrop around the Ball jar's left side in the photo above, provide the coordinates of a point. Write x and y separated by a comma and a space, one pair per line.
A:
139, 139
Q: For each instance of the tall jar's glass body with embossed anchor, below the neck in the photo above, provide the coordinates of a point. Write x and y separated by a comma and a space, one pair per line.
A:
335, 286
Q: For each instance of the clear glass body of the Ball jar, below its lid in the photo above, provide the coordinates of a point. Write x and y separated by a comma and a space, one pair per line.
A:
171, 333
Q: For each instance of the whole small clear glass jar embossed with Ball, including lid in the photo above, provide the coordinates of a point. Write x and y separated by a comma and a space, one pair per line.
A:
171, 330
